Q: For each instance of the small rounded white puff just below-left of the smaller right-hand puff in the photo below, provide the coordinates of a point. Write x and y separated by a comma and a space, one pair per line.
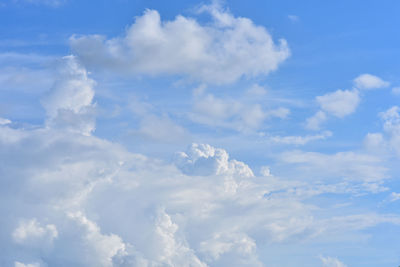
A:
339, 103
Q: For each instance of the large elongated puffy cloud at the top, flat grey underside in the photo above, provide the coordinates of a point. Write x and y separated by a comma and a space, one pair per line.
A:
221, 51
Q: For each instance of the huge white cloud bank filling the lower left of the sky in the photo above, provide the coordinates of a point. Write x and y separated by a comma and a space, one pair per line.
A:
100, 205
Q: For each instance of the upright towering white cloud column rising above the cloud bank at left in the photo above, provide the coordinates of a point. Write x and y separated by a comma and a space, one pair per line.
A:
69, 102
